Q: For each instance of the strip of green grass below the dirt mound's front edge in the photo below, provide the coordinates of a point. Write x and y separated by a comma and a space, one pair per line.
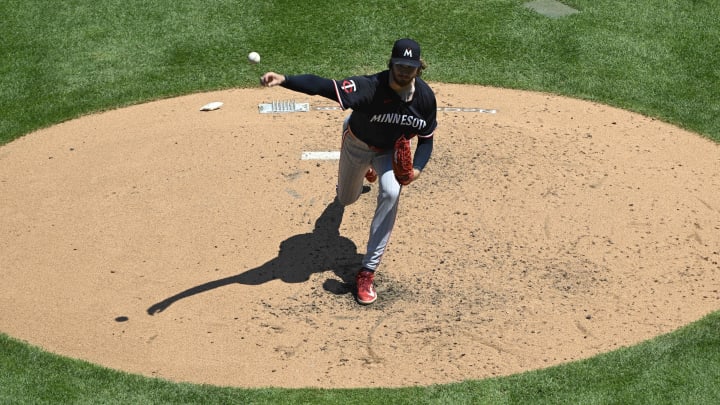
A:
681, 367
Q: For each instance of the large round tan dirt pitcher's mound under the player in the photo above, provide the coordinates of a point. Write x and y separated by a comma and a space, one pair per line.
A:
198, 246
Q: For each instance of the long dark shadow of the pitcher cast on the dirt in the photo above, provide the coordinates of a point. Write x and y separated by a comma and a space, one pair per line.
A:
299, 257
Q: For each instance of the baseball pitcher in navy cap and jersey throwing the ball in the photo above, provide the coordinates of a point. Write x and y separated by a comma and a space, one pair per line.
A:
388, 109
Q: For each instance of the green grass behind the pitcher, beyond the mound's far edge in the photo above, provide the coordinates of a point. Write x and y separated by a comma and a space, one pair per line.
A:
62, 60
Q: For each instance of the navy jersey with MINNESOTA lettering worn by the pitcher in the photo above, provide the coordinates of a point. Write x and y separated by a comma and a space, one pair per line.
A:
379, 116
